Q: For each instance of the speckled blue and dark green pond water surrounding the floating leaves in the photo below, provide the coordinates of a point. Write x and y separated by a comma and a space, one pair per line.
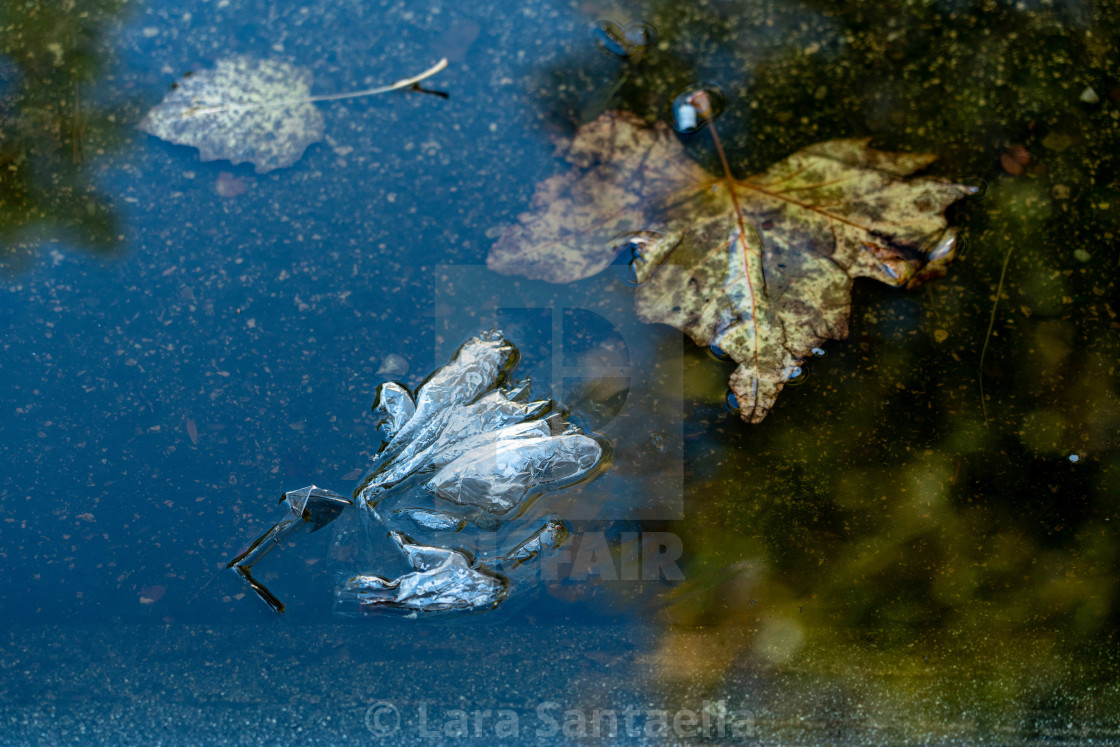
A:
919, 545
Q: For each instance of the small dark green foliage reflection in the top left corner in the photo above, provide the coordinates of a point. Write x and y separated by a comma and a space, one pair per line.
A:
51, 55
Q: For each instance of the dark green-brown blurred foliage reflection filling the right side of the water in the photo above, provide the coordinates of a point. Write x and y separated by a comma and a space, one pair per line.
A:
875, 528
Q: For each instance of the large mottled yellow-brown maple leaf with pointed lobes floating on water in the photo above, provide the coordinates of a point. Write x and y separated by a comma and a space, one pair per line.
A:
761, 268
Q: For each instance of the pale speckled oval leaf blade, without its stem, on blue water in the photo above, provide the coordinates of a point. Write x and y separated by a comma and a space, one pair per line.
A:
231, 114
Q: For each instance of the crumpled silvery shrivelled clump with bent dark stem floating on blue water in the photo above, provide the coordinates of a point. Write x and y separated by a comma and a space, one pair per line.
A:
477, 451
